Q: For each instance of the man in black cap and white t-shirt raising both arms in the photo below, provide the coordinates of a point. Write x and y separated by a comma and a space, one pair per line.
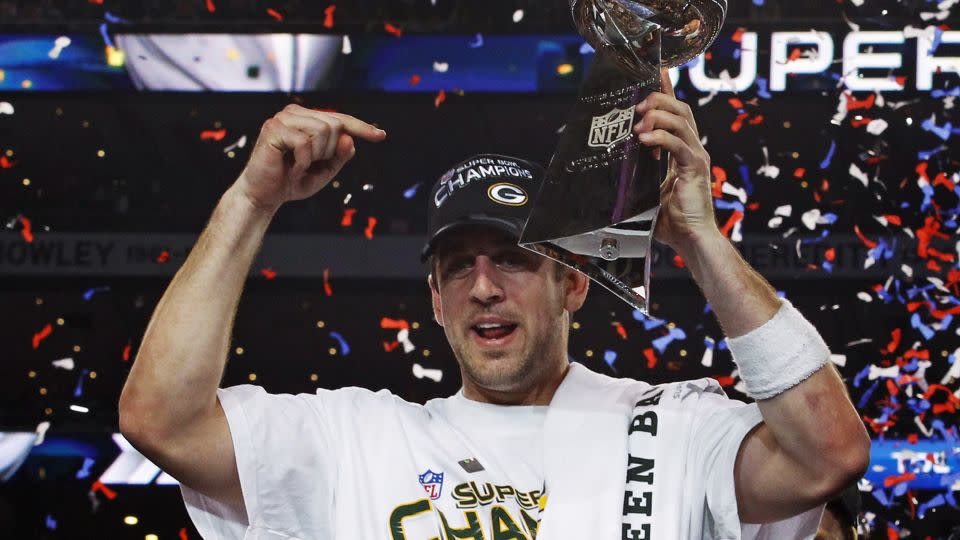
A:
531, 446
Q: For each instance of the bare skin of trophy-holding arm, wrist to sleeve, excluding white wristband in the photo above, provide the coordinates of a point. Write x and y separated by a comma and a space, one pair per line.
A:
812, 443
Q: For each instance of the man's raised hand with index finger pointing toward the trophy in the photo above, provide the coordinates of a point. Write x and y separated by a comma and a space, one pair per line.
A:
298, 152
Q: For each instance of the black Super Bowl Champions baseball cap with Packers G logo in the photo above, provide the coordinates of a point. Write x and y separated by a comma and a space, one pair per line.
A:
486, 189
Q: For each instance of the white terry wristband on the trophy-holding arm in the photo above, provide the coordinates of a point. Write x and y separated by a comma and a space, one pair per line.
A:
780, 354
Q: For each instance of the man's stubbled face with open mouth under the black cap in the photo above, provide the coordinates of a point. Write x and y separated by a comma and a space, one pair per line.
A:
503, 308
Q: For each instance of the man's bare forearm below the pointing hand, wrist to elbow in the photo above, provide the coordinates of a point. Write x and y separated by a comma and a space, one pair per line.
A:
181, 358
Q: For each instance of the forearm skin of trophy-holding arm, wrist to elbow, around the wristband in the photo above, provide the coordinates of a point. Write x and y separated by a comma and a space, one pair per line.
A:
814, 422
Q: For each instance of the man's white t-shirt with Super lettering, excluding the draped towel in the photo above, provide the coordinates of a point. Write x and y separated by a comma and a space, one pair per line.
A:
351, 463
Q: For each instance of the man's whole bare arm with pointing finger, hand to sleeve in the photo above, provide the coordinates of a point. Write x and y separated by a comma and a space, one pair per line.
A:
169, 408
